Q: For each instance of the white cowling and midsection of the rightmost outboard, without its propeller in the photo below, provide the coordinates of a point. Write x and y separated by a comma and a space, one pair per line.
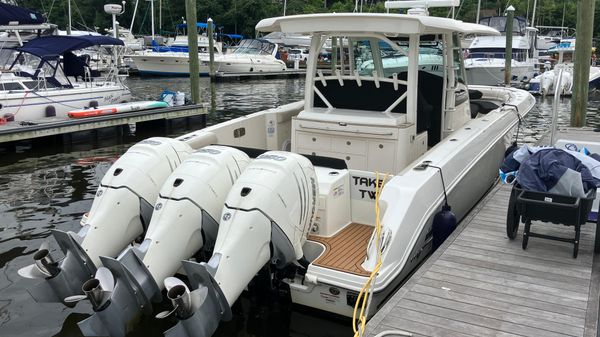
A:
271, 205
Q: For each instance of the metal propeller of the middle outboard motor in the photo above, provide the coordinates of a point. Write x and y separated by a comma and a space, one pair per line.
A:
98, 289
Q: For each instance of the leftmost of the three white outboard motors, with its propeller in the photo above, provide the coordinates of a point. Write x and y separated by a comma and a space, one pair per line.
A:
120, 213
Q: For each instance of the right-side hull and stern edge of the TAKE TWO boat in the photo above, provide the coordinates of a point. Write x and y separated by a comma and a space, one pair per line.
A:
469, 163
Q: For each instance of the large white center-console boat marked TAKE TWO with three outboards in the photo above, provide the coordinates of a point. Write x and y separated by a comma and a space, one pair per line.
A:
339, 197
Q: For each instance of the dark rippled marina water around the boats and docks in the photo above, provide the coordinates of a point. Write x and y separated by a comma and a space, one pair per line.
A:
41, 190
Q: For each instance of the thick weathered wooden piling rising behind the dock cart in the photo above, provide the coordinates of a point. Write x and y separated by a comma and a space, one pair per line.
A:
581, 68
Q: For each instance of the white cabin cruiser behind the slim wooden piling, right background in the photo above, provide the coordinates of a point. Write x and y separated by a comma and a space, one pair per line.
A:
485, 59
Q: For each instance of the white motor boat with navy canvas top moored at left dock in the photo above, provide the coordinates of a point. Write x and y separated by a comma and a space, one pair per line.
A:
46, 79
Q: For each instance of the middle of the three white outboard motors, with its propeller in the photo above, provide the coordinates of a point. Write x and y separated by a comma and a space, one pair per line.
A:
184, 220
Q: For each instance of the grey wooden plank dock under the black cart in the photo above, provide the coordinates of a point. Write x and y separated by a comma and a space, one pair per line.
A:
480, 283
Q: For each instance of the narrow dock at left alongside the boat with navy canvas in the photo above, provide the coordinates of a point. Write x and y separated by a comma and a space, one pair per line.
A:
28, 130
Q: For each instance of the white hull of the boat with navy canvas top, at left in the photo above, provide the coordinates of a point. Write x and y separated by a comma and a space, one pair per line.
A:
31, 105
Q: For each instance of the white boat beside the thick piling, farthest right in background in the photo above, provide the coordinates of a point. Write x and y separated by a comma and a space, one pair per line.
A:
546, 83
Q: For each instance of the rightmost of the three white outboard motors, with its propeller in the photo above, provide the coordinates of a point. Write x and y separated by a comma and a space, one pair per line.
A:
266, 218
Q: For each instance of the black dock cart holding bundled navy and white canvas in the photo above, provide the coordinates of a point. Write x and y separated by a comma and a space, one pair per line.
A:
530, 206
